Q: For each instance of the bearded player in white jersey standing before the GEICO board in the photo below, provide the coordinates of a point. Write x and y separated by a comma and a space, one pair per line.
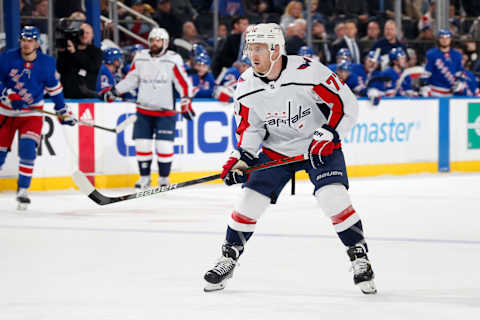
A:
153, 71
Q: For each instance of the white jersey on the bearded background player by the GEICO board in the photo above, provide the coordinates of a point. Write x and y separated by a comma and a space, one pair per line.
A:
155, 77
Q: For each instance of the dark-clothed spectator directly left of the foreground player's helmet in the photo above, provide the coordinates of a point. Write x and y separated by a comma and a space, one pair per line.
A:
232, 48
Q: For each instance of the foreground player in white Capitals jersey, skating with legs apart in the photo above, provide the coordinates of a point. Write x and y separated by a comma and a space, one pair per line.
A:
289, 106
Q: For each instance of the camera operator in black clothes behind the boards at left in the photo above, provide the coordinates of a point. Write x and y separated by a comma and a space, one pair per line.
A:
79, 62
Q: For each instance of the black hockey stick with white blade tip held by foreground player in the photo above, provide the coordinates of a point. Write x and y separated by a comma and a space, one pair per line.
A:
86, 187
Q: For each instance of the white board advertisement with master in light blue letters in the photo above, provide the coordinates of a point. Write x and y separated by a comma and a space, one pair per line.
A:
397, 131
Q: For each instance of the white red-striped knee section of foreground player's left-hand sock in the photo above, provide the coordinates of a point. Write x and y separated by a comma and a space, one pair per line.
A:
248, 210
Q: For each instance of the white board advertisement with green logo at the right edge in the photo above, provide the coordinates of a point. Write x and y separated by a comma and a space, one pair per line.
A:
464, 129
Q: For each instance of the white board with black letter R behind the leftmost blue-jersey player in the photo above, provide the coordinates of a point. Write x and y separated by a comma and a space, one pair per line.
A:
56, 152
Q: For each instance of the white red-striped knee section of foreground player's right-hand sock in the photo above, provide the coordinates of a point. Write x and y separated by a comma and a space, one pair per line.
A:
336, 204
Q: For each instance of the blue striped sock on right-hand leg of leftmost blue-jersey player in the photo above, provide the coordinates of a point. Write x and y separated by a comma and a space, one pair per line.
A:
27, 151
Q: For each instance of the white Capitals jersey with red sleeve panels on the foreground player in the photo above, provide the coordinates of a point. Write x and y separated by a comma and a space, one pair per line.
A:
283, 114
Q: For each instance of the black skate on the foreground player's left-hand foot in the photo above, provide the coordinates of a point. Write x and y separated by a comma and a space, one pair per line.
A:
223, 269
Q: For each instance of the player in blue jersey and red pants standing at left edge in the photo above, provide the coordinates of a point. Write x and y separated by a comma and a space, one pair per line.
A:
25, 74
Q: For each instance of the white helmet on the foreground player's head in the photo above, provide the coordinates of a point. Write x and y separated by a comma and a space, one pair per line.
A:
268, 33
